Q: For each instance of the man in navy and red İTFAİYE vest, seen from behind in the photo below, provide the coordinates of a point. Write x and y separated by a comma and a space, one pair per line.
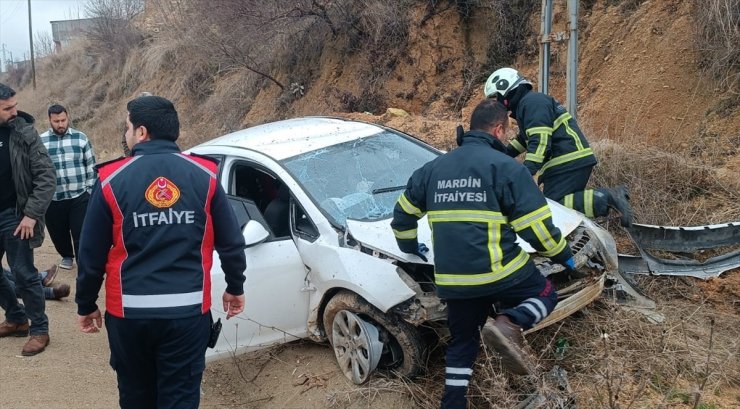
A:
151, 226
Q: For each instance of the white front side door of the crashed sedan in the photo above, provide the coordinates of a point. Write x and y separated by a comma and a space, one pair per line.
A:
277, 301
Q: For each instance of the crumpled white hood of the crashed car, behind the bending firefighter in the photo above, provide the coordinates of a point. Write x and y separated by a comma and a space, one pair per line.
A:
379, 236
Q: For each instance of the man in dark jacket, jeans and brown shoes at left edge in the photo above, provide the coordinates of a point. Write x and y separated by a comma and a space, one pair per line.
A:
28, 181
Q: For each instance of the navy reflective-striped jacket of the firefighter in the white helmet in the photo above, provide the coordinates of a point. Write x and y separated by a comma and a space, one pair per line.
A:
549, 135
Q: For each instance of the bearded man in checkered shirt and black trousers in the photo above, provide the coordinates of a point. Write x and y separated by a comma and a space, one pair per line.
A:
73, 157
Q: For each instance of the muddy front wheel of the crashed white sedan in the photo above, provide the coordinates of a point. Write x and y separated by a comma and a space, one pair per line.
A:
402, 346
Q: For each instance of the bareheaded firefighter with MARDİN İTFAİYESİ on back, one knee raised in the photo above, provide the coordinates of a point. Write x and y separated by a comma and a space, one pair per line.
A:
477, 199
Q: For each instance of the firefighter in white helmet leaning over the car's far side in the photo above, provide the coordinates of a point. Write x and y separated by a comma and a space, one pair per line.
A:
554, 147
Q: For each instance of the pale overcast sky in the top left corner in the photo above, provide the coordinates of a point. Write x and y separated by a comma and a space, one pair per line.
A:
14, 21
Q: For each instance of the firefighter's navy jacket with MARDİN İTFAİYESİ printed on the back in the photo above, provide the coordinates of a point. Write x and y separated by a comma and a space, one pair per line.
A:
476, 200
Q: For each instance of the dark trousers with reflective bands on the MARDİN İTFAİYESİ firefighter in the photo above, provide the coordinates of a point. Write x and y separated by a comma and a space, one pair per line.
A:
526, 304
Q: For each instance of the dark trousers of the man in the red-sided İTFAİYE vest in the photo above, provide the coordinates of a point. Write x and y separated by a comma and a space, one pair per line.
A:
159, 363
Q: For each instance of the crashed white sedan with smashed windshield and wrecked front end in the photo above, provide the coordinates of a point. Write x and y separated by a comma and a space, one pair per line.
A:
314, 198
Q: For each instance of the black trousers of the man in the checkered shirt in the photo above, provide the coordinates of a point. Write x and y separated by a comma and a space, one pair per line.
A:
64, 221
